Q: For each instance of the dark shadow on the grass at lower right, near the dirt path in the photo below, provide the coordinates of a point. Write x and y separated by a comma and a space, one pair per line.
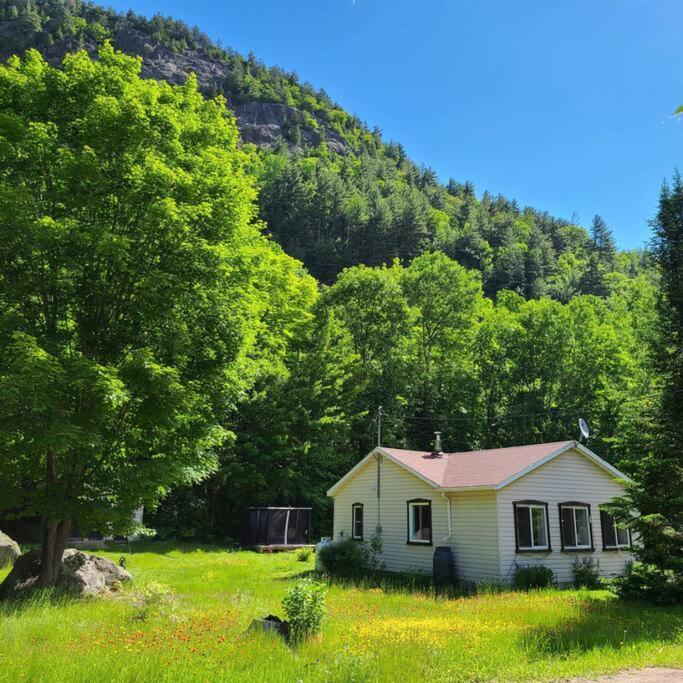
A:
605, 623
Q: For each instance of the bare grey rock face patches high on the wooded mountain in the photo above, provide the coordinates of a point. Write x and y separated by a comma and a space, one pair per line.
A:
265, 124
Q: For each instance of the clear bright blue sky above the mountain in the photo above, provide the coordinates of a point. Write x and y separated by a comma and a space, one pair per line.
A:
563, 105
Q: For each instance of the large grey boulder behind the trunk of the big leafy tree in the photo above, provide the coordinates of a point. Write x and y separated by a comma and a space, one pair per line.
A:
82, 574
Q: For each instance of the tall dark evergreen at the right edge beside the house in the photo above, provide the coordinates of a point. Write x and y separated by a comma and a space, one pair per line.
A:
653, 504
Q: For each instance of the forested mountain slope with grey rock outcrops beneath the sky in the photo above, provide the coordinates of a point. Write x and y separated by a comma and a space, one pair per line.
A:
333, 193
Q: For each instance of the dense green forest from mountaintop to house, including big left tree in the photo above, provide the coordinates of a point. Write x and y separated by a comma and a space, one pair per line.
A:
259, 305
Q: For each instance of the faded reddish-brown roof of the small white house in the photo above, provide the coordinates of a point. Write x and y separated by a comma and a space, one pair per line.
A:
475, 468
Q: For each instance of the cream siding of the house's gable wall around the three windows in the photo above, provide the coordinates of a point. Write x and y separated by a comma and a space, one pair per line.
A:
568, 477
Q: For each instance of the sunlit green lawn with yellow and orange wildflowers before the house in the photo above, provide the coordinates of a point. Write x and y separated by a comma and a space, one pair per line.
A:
370, 633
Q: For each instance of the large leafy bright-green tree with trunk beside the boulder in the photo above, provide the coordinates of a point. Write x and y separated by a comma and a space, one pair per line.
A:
128, 290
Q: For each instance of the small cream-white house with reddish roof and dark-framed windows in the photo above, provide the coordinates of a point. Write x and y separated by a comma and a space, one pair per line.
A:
495, 509
